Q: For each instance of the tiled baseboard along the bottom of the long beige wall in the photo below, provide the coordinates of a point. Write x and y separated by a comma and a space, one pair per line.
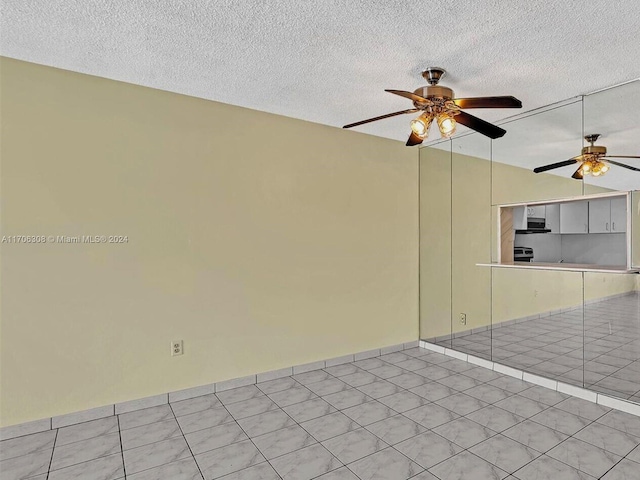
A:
59, 421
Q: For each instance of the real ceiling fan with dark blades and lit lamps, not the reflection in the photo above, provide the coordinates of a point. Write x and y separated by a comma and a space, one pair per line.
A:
436, 102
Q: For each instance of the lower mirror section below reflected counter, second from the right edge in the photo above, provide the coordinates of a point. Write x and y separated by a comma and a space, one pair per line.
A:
538, 322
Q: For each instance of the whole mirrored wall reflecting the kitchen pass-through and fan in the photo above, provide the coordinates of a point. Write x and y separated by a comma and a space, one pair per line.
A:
563, 220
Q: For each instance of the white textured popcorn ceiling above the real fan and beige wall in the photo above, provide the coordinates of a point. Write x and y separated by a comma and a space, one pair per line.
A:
330, 61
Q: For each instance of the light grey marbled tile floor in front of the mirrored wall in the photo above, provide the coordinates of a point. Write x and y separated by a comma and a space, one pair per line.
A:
412, 414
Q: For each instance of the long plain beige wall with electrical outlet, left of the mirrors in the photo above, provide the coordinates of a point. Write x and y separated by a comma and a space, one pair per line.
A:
261, 241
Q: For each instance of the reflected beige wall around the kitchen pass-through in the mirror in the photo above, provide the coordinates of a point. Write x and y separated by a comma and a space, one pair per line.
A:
450, 281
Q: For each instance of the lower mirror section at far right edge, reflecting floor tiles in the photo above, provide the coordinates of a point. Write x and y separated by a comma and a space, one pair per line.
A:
612, 334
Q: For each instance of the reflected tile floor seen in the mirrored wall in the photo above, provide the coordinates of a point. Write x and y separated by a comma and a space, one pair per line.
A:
557, 346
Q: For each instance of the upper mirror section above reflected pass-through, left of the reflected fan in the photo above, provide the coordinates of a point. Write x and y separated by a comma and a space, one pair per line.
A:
546, 137
